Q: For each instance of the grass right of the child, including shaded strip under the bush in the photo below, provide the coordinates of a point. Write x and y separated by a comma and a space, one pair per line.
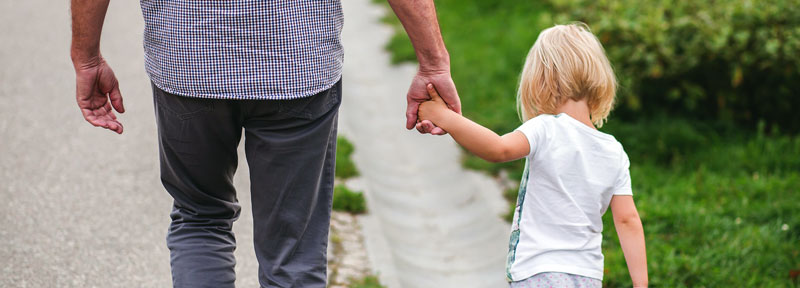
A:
719, 209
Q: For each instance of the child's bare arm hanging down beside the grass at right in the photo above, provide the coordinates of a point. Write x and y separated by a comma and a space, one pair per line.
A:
631, 237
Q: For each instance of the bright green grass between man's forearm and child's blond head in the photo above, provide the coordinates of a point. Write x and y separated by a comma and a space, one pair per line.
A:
488, 42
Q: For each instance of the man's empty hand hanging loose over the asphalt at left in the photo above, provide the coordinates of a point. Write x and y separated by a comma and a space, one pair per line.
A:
97, 91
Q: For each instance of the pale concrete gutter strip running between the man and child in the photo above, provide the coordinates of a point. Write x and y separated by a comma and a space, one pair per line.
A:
432, 223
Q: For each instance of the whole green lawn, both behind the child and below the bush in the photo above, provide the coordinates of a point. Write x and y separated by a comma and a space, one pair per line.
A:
720, 207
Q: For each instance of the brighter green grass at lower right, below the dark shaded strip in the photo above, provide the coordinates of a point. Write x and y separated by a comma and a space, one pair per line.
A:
709, 228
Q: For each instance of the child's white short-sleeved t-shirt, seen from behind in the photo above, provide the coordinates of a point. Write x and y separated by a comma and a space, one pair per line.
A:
572, 172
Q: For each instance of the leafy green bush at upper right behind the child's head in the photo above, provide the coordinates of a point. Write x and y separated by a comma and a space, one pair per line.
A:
725, 60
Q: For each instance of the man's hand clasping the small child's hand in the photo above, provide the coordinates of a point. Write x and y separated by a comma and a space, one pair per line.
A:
418, 93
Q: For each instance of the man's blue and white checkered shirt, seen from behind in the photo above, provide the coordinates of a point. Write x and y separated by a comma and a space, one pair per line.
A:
243, 49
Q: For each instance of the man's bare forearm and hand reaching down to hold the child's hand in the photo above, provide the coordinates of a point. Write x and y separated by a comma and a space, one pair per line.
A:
419, 19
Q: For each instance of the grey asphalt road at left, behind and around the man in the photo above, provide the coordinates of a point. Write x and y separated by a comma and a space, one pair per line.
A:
81, 206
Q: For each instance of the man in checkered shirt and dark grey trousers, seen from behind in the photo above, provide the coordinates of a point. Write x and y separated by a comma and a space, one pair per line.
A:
272, 68
